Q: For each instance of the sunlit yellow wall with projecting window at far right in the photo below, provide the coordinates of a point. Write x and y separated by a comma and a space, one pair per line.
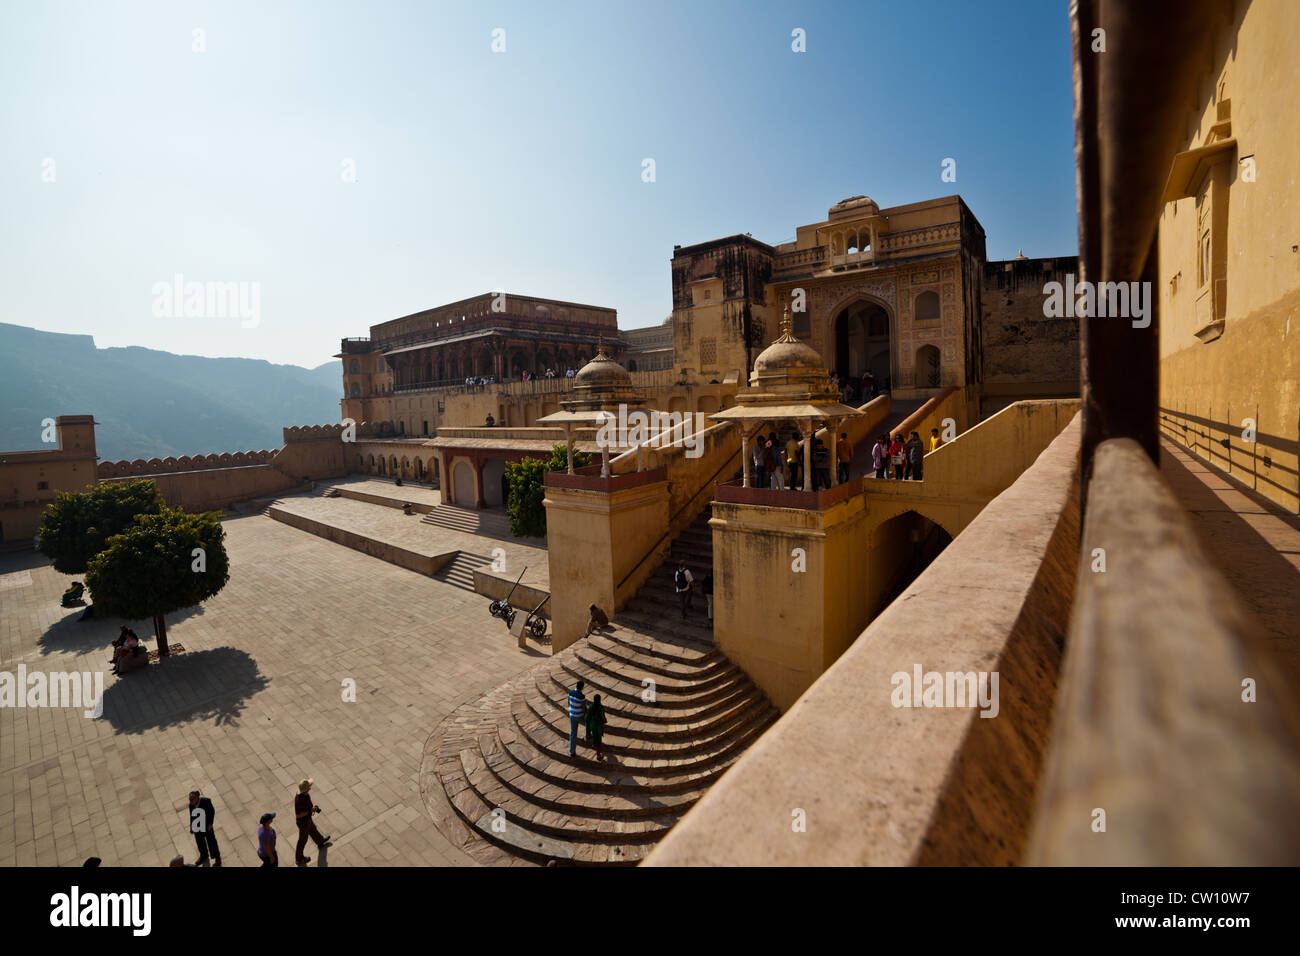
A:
1253, 370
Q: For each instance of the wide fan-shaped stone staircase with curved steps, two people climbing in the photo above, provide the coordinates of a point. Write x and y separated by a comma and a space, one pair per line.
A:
679, 715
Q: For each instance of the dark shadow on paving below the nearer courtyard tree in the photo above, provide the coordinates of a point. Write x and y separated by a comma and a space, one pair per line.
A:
201, 686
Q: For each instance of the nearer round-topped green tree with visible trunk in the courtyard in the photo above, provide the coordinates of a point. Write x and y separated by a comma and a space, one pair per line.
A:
161, 565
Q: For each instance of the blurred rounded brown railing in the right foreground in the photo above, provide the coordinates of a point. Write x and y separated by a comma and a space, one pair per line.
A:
1154, 723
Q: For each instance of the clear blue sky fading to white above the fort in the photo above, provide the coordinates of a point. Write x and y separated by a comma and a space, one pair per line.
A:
352, 163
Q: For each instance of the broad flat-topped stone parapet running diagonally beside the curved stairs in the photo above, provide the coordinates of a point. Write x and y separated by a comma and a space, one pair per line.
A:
925, 785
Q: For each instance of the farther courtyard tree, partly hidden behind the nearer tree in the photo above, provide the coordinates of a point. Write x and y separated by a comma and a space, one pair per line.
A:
77, 526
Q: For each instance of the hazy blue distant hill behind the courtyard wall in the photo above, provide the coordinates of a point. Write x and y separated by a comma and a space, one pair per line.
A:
151, 404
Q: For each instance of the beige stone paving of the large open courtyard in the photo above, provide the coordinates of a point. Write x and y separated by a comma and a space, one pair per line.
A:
254, 706
